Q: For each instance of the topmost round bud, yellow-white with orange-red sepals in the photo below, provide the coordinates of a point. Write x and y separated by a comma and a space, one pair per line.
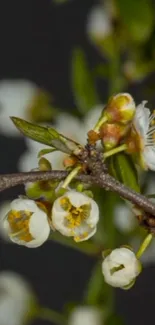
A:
120, 108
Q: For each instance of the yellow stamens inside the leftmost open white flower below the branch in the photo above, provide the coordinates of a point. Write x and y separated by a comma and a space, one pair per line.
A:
19, 224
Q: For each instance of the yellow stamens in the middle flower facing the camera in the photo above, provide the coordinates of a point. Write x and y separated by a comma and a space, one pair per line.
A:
76, 215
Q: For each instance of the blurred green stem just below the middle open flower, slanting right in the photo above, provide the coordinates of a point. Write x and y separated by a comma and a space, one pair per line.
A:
86, 247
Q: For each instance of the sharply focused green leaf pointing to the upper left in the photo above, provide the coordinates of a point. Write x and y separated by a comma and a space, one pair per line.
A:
48, 136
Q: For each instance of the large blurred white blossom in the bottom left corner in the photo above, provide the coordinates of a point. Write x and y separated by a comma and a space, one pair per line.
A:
15, 299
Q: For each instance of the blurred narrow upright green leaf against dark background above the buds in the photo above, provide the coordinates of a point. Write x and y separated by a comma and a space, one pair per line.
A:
82, 82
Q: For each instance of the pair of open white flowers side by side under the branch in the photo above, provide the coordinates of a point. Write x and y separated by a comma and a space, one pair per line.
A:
29, 222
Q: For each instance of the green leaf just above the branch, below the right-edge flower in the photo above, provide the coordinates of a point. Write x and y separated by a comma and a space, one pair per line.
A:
123, 169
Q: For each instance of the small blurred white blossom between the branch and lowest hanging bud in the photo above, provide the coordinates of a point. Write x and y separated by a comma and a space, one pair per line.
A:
124, 218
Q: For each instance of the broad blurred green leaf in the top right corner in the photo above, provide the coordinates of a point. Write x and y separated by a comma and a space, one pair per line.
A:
137, 17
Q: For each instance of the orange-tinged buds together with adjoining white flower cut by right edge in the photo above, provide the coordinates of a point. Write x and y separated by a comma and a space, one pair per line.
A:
122, 122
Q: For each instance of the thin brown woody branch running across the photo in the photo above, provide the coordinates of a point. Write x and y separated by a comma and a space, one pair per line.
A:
103, 180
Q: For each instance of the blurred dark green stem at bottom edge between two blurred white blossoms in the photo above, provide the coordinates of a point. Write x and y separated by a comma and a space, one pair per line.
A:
51, 316
